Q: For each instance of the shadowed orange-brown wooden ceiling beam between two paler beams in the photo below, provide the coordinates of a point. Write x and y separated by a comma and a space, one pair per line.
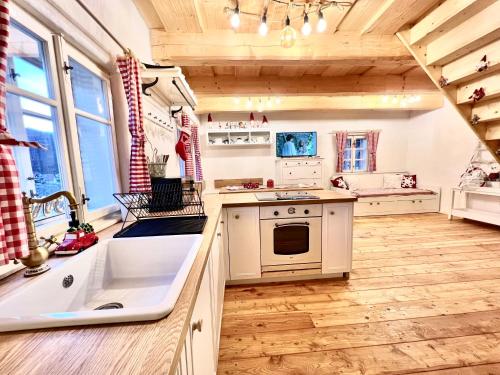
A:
310, 85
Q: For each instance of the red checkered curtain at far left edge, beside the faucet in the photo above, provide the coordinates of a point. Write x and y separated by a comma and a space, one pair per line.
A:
13, 235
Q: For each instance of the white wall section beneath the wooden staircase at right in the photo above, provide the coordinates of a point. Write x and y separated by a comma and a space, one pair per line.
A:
439, 149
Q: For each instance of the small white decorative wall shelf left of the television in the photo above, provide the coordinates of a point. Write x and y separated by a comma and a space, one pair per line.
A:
239, 137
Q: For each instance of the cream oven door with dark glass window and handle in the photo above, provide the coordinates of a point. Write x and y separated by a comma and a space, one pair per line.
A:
290, 241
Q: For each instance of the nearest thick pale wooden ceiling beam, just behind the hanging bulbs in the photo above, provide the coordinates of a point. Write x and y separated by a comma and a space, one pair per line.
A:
225, 47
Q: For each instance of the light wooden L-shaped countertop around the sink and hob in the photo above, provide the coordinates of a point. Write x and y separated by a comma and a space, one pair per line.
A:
125, 348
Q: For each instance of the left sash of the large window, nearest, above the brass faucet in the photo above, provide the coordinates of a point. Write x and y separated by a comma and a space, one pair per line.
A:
34, 114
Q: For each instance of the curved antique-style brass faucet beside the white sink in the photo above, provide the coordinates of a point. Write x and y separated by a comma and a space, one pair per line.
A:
35, 261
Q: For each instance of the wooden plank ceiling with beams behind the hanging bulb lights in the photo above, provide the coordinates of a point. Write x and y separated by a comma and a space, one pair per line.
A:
357, 55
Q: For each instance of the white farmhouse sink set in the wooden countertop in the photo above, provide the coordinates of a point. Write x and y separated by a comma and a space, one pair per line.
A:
145, 275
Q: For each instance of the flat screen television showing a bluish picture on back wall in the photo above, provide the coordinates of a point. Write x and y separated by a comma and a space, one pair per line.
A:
294, 144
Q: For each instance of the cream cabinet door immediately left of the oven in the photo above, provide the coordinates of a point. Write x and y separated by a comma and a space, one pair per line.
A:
244, 243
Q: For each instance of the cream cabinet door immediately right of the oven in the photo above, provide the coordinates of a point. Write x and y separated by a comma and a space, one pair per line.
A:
337, 238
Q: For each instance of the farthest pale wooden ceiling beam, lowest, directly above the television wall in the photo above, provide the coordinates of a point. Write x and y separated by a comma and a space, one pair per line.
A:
428, 101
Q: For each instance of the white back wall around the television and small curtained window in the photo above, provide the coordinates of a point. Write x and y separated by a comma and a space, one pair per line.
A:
229, 162
